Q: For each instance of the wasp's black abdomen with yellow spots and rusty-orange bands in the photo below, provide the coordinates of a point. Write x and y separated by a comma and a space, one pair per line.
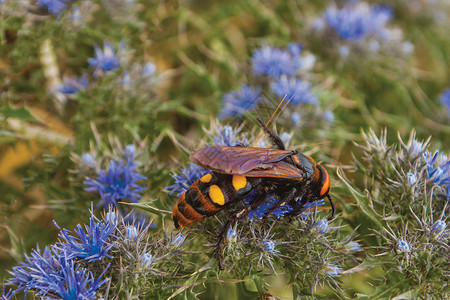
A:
209, 195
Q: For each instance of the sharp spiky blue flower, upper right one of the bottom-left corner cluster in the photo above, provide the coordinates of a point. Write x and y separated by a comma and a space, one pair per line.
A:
92, 244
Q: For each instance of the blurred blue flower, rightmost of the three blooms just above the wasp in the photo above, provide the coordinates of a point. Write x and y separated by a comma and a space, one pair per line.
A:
295, 90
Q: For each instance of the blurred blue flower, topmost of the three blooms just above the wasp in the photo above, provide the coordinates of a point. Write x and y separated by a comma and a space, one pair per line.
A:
275, 62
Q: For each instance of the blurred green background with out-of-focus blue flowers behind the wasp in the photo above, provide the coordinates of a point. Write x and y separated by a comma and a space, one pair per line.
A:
81, 77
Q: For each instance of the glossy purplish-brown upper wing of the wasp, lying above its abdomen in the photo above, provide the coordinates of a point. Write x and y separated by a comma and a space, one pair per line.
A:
238, 160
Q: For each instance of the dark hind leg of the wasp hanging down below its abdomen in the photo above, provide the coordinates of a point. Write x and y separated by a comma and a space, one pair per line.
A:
235, 217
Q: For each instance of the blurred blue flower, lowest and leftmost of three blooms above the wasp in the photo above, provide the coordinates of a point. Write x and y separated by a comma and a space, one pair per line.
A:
237, 103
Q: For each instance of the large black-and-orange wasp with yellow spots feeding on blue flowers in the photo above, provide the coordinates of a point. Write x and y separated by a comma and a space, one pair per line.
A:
237, 171
